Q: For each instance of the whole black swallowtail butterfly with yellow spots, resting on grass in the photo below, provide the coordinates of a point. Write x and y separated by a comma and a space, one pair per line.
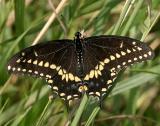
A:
72, 67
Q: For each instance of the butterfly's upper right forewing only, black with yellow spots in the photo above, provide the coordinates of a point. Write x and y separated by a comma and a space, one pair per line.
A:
118, 51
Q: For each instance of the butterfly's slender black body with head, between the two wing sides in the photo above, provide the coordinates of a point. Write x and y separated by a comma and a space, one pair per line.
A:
79, 54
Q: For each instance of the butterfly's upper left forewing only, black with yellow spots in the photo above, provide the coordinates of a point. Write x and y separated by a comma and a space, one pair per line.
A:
39, 60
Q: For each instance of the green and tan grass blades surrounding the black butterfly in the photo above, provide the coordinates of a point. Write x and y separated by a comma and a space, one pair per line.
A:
135, 98
